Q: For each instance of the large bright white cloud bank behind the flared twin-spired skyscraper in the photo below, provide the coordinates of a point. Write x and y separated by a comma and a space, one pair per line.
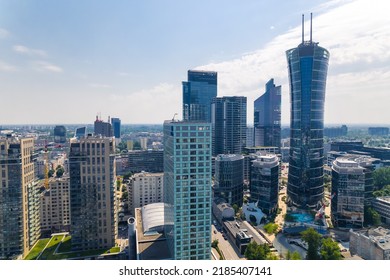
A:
357, 35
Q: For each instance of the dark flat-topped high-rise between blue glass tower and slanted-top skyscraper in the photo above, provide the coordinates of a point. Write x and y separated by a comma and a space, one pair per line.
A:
229, 124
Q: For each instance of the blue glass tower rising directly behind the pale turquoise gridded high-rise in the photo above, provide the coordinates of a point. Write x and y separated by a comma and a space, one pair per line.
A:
198, 92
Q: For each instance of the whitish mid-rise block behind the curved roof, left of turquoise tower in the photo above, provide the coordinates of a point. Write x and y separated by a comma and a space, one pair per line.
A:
145, 188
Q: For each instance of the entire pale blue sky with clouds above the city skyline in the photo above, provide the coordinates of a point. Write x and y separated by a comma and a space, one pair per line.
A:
64, 61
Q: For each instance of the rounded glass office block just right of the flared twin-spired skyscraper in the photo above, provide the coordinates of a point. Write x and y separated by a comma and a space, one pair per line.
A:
352, 187
